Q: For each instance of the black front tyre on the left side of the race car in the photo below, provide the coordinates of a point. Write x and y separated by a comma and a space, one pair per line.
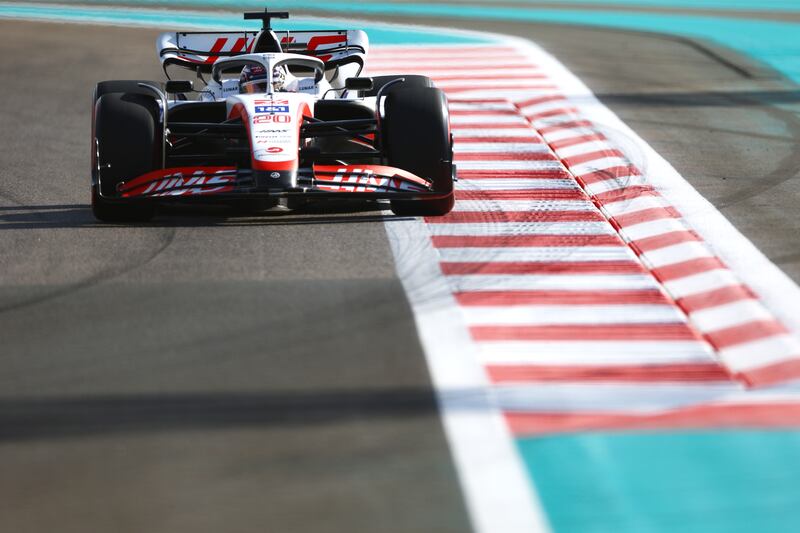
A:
128, 145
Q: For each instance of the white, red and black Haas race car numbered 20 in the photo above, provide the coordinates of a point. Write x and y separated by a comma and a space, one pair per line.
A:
283, 119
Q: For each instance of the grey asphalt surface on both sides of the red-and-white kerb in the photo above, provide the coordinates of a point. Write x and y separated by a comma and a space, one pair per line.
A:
205, 373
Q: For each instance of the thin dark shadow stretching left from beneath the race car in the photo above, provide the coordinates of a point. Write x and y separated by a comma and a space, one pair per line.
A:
19, 217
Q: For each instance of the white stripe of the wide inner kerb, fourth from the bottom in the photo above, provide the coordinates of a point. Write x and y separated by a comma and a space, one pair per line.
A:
556, 282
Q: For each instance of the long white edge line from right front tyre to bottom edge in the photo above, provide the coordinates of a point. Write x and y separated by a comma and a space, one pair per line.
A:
498, 493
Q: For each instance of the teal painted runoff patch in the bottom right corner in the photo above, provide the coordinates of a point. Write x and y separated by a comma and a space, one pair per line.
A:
688, 482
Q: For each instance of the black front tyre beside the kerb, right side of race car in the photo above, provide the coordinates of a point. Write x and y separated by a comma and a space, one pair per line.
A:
416, 137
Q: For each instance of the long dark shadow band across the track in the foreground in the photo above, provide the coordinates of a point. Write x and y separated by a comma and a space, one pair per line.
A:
65, 417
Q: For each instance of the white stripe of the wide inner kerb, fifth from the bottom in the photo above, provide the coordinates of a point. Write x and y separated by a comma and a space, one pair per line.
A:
537, 254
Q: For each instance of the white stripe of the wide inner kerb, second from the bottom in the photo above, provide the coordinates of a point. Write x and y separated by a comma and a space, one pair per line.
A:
595, 352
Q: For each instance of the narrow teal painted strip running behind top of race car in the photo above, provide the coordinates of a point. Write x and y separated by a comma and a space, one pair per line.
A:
215, 20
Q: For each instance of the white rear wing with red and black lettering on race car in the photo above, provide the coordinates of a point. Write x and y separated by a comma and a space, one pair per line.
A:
195, 50
